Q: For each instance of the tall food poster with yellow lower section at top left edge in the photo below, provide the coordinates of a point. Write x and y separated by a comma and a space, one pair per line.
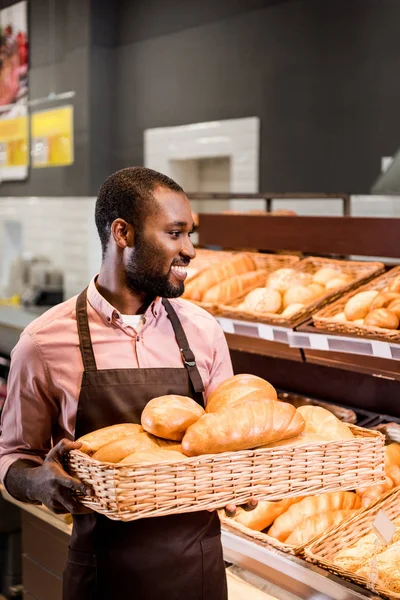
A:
14, 128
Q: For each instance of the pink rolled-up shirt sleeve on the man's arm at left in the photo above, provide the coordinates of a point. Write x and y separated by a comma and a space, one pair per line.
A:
30, 409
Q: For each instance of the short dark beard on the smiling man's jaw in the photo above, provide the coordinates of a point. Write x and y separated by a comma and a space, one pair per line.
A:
143, 273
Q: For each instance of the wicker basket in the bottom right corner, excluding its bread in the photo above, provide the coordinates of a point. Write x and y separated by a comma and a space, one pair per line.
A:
323, 550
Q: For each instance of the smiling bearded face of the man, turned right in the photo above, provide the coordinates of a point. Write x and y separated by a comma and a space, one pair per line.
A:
163, 248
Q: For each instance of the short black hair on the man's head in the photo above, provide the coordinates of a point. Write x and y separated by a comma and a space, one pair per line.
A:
128, 194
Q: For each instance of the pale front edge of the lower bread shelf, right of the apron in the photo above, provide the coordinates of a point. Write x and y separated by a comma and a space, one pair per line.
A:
290, 573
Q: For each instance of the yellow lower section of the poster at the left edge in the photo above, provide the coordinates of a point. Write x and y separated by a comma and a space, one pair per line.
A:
14, 142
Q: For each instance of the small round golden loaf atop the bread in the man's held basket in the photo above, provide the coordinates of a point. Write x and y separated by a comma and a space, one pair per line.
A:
169, 416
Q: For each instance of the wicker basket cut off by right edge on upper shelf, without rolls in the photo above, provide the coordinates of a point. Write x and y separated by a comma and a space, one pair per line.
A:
323, 318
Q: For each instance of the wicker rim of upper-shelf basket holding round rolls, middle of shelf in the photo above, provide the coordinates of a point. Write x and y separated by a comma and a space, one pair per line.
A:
360, 271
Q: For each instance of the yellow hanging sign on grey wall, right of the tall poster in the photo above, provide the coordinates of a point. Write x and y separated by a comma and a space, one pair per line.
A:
52, 135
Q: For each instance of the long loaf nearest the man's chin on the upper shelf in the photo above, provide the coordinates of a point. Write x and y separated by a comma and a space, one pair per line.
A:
239, 264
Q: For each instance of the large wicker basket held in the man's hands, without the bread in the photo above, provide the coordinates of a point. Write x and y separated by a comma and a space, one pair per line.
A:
124, 492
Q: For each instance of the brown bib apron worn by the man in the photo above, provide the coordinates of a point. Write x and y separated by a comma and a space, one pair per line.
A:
178, 557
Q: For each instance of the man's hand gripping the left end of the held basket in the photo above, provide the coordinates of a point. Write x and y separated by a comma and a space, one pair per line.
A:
53, 487
